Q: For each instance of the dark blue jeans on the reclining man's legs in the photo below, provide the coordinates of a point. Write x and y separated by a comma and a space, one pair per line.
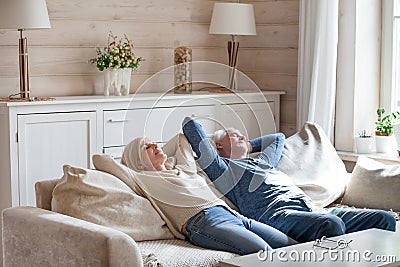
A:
307, 226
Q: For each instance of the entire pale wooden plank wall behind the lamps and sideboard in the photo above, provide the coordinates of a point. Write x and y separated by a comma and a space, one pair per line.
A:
58, 56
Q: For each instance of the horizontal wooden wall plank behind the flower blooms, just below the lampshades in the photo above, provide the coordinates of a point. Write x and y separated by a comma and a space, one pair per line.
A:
74, 60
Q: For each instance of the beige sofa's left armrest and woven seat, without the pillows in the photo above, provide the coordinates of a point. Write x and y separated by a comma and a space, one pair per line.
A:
39, 237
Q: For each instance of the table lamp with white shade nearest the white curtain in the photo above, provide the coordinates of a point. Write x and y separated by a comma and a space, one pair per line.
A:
233, 19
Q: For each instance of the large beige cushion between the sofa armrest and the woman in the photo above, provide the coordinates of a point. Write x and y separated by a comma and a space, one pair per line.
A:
103, 199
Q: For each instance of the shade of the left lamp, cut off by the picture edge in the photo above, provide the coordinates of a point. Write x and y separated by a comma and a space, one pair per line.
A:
23, 14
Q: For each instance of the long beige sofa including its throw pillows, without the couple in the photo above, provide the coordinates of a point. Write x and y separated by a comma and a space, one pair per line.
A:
41, 236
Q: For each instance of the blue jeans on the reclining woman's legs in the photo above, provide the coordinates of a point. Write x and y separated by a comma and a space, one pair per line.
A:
222, 229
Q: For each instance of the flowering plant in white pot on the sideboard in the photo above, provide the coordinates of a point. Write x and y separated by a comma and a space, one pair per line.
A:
117, 59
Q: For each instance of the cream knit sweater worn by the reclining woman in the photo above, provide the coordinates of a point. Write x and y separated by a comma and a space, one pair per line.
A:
177, 194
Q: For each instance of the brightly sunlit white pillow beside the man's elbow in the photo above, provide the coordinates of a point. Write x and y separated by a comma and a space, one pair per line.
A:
310, 159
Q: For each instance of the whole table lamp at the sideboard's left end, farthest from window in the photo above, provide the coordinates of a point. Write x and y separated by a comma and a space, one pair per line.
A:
23, 15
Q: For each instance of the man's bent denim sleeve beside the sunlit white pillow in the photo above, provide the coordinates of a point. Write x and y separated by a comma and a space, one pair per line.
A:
270, 146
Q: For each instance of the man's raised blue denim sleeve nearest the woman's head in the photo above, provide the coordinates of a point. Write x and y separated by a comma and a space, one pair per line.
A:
207, 157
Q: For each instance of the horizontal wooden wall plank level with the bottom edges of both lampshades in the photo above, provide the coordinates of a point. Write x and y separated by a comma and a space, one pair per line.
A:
94, 33
